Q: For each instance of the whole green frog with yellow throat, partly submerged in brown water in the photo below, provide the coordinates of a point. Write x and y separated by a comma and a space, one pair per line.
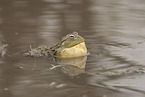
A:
72, 45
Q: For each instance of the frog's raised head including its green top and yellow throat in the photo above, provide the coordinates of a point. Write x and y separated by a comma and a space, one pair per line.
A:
72, 45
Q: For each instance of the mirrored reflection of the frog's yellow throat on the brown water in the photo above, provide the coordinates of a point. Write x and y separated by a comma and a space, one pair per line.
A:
73, 66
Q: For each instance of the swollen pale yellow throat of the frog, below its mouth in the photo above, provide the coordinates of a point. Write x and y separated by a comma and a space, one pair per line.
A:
75, 51
